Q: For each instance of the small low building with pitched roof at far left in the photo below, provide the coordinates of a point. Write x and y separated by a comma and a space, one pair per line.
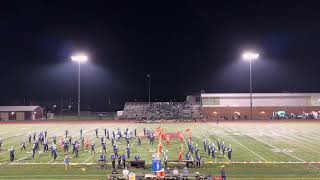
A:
20, 112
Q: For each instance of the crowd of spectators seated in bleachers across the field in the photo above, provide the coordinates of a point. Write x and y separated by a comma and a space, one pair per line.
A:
161, 110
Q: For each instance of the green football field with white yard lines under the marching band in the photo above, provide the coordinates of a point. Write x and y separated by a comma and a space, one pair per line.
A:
261, 150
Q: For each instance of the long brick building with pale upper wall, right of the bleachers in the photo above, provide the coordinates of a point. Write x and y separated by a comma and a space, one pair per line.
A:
264, 105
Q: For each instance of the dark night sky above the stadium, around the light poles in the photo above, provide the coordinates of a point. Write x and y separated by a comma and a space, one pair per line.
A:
186, 46
